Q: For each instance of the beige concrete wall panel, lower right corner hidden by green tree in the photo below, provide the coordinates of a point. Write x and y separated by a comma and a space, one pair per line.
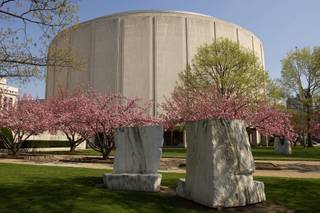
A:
170, 53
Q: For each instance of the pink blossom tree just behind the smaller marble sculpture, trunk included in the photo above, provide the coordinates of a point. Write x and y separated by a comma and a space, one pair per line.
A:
107, 113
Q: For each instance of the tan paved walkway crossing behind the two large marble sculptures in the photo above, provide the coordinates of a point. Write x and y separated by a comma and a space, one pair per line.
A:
290, 167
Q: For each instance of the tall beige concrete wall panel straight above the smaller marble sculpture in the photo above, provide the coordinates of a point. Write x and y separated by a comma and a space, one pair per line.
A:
137, 57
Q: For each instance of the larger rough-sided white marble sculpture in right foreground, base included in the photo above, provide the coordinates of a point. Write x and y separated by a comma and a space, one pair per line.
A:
219, 165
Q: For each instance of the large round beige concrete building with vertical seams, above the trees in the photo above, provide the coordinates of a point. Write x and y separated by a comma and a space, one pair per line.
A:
140, 53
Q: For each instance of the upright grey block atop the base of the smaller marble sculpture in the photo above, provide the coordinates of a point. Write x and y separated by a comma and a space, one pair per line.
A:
138, 150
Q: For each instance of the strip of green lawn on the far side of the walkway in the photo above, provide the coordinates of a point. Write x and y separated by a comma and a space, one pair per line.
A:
259, 153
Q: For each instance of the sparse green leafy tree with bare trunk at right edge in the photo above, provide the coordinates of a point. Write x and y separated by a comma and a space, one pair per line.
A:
300, 76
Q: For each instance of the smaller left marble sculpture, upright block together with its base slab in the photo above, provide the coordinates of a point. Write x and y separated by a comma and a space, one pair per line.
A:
137, 159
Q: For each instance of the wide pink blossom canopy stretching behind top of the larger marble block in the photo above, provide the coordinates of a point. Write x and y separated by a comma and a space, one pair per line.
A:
196, 104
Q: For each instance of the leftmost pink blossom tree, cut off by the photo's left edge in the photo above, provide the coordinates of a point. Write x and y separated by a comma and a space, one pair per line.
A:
20, 121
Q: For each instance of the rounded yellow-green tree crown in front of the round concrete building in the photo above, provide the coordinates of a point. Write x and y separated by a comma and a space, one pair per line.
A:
228, 67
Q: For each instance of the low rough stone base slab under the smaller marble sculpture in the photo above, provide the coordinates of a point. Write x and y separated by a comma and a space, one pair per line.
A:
132, 182
